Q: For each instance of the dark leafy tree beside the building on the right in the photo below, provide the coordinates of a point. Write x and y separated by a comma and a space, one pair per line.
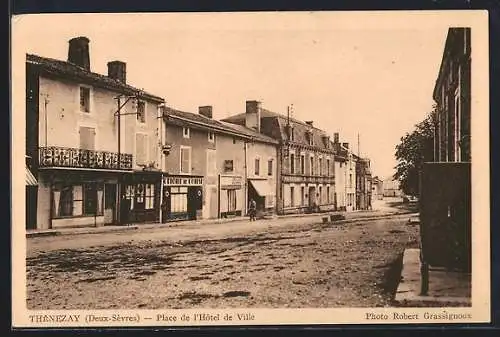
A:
414, 149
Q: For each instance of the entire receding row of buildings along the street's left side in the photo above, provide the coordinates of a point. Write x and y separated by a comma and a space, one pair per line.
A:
100, 151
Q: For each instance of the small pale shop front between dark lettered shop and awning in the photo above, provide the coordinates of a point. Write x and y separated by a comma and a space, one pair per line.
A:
231, 196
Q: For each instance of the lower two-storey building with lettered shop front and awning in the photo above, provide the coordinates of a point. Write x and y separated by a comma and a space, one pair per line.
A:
230, 166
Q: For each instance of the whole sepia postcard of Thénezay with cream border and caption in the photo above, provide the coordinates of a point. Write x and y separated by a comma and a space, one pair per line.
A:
263, 168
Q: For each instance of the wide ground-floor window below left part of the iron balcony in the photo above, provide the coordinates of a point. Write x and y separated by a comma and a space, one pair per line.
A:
76, 200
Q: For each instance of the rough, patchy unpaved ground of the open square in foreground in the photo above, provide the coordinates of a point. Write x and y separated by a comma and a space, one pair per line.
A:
310, 265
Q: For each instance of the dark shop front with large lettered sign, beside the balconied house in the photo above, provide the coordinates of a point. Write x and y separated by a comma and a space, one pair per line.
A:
182, 197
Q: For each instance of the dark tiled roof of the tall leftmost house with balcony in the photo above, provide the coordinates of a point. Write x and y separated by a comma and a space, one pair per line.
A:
73, 71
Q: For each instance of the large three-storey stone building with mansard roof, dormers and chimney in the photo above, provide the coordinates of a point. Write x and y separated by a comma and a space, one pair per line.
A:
305, 159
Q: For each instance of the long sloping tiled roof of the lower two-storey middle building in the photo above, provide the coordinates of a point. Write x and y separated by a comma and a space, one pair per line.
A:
213, 124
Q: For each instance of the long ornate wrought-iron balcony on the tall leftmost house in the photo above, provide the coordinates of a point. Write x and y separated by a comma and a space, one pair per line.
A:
55, 156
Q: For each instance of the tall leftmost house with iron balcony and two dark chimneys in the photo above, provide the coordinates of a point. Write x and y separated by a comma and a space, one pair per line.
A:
93, 143
